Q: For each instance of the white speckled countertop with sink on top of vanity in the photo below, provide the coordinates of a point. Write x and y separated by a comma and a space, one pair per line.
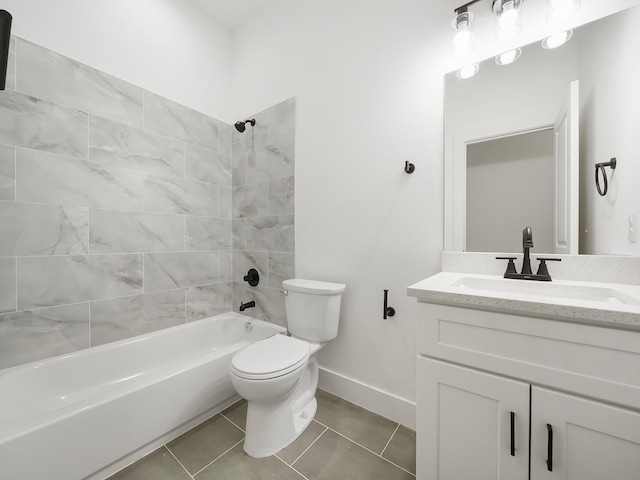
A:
606, 304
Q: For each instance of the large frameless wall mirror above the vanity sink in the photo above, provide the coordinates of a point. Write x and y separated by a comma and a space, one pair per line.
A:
522, 141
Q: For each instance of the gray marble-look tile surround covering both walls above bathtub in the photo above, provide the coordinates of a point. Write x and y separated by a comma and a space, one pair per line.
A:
122, 212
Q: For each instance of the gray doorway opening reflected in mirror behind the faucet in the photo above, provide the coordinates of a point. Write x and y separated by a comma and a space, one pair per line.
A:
511, 177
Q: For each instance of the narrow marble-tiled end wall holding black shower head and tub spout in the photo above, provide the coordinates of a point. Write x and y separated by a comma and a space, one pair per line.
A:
263, 210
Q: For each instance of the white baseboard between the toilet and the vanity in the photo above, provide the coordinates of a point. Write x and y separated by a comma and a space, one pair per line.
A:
378, 401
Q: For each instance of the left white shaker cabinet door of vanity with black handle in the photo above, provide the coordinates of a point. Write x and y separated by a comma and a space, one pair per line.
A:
465, 420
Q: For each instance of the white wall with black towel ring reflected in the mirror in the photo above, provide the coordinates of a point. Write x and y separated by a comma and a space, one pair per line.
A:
610, 122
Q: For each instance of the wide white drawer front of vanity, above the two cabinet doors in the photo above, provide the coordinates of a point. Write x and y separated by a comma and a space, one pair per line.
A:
595, 361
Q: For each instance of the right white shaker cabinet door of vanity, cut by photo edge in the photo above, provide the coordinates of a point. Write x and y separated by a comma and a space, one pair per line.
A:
587, 440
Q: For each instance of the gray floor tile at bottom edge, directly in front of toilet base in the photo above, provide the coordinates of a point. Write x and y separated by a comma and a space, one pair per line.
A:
236, 465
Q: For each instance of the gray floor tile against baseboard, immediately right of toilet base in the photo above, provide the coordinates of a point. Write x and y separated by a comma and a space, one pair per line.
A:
360, 425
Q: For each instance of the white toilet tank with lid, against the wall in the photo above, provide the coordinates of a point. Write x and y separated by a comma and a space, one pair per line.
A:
313, 308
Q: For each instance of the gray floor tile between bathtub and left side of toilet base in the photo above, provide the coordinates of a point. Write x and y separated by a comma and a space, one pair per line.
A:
204, 443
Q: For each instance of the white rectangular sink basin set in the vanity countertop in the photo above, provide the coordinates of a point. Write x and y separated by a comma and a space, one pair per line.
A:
478, 285
